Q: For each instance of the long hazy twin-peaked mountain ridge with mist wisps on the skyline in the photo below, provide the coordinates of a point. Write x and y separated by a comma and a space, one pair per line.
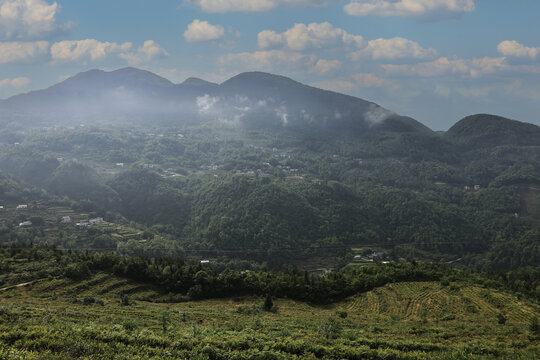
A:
250, 100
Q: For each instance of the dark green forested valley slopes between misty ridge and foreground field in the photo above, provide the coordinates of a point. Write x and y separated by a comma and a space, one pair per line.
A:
280, 197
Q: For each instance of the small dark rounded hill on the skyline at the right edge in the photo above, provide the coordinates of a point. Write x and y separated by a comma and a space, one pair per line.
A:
483, 130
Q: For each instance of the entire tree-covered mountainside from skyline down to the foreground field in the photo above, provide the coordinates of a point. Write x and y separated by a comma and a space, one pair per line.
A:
259, 188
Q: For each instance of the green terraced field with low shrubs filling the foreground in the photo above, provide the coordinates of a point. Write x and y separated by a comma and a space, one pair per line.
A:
105, 317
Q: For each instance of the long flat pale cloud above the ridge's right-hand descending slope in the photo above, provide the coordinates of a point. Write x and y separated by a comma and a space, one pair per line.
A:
445, 66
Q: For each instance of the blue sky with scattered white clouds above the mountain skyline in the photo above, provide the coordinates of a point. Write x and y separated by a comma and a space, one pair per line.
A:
434, 60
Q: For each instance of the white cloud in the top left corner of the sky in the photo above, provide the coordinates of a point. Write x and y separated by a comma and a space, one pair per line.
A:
29, 19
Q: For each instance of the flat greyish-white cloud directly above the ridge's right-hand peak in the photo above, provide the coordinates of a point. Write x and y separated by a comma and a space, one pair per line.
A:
268, 60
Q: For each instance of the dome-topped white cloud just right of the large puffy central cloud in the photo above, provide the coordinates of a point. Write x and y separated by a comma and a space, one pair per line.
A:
394, 48
